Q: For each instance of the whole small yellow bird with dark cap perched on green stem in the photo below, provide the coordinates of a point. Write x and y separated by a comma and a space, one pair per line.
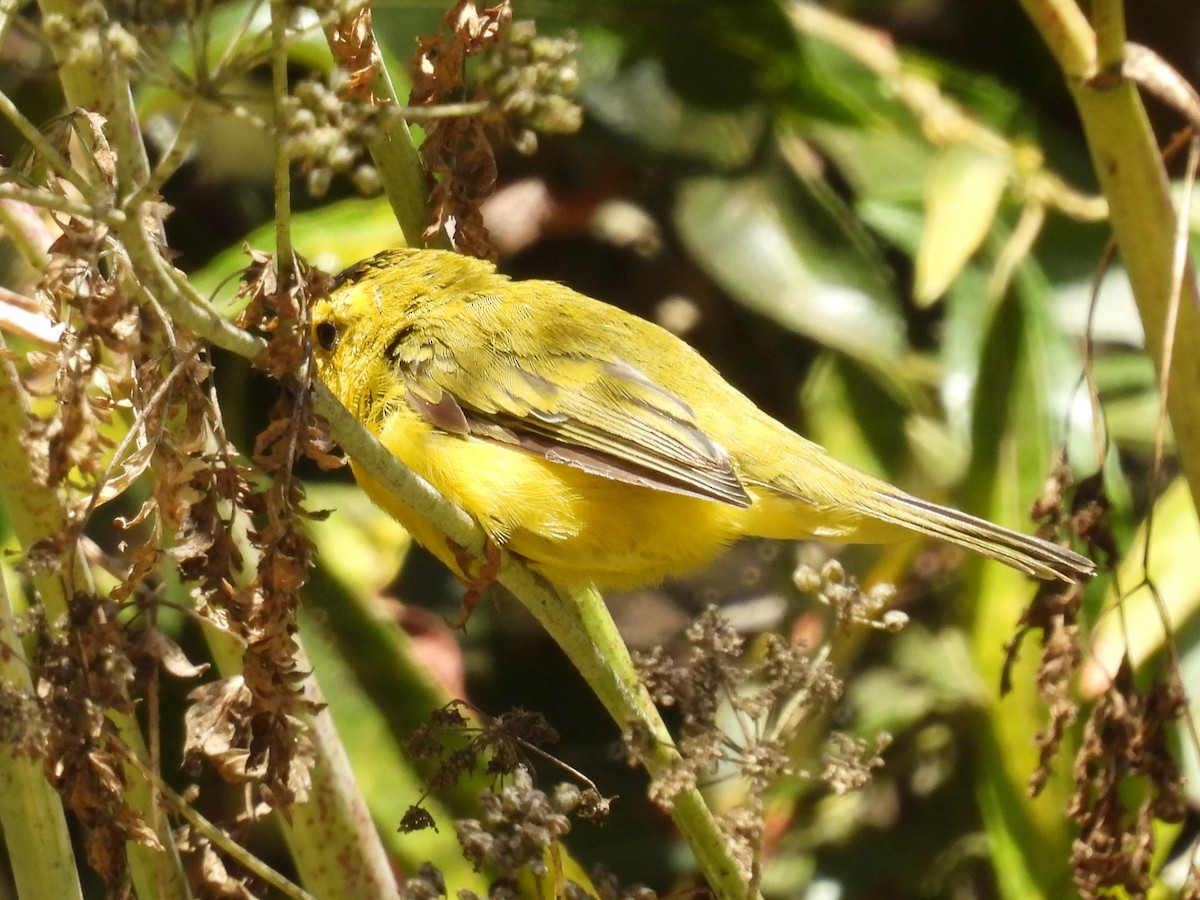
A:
593, 443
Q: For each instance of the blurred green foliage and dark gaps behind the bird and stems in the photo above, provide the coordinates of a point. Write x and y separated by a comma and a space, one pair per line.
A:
879, 221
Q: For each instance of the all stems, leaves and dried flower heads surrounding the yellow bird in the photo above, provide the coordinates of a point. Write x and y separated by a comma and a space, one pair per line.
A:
225, 673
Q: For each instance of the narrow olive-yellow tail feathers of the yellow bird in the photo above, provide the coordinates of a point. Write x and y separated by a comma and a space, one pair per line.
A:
1024, 553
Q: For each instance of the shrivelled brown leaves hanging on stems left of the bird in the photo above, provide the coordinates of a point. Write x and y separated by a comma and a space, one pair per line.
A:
129, 401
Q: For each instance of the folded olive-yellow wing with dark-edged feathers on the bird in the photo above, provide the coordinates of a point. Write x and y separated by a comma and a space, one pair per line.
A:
574, 405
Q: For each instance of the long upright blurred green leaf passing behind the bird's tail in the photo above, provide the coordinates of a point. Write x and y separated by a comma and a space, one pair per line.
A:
1025, 380
